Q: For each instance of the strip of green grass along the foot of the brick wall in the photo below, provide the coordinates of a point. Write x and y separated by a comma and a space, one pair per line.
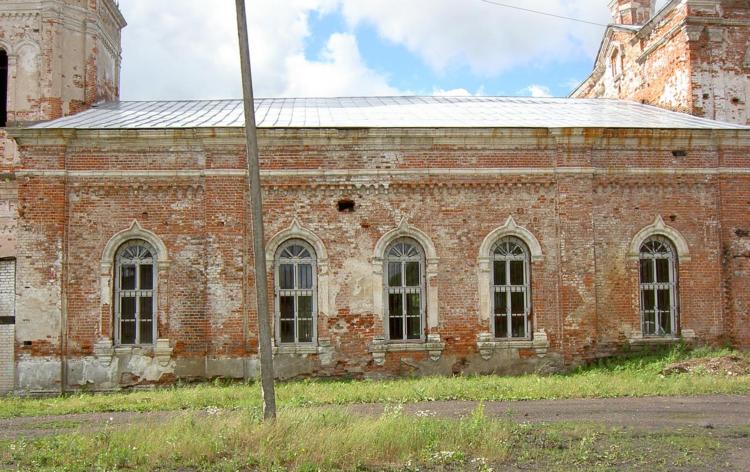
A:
621, 377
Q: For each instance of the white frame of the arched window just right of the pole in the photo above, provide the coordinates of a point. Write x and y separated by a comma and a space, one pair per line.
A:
296, 292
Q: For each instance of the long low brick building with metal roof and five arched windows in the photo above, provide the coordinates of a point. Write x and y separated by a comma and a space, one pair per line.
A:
415, 235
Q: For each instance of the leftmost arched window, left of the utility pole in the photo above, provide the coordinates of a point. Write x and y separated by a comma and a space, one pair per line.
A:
135, 293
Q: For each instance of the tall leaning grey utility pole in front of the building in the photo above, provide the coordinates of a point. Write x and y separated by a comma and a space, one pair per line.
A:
253, 168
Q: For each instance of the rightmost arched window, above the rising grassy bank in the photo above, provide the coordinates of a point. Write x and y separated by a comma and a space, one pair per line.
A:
658, 281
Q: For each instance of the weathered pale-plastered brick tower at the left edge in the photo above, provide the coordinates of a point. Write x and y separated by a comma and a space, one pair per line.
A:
57, 58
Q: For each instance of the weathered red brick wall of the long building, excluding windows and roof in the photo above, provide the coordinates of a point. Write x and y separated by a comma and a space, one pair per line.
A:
583, 195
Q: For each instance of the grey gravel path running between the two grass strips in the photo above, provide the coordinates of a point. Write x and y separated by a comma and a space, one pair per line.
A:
653, 413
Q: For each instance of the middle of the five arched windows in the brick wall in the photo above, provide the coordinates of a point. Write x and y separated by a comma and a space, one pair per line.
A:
405, 279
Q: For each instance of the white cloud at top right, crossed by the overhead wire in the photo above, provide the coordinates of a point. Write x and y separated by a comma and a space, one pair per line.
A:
487, 38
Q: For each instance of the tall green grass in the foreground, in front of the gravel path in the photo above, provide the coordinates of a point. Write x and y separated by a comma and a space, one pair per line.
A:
331, 439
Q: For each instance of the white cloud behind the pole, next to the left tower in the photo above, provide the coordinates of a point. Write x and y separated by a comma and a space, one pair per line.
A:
192, 52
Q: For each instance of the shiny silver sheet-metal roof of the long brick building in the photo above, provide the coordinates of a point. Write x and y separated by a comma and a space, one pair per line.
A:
386, 112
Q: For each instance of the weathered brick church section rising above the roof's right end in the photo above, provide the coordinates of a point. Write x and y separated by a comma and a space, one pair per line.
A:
693, 56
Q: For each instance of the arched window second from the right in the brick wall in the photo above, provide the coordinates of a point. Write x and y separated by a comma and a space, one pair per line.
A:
511, 288
